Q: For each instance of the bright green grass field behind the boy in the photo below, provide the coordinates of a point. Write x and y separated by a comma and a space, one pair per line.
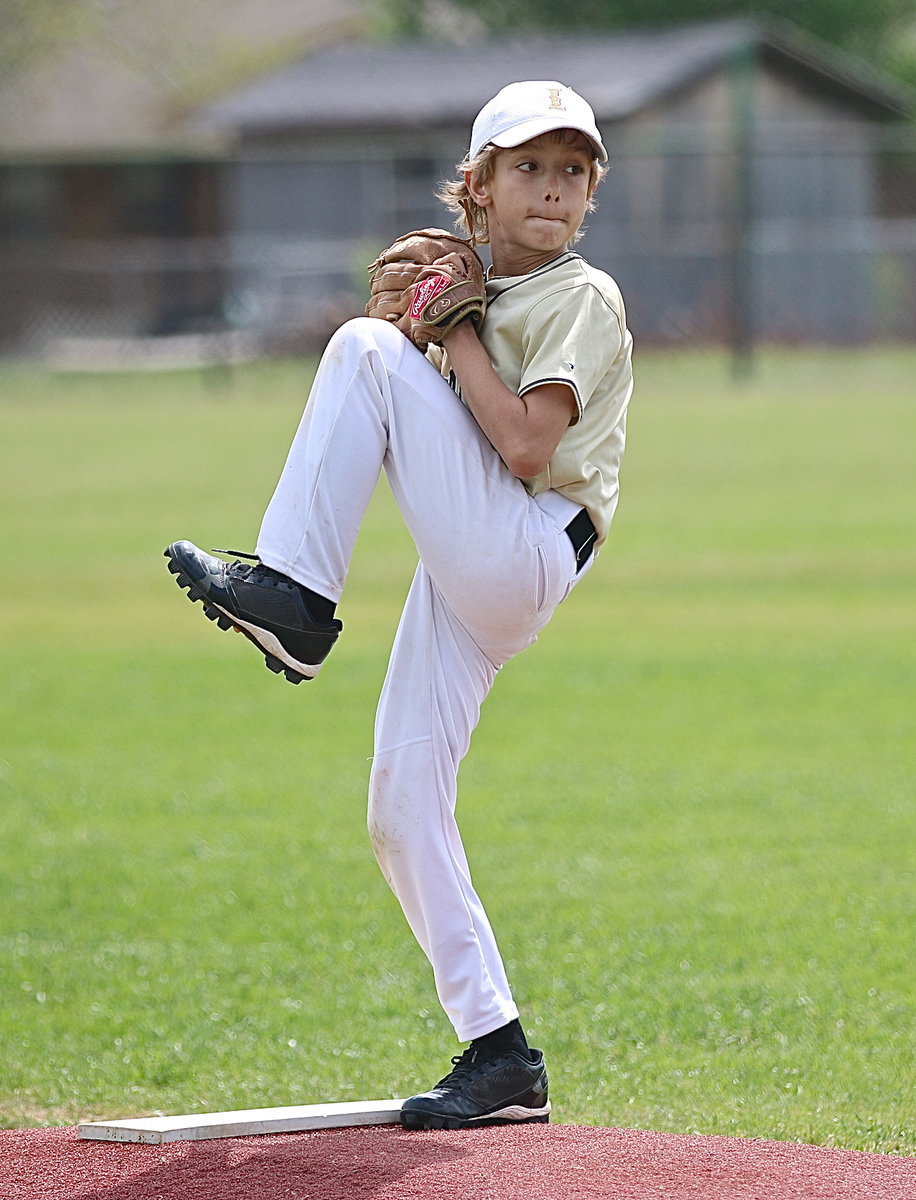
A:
690, 808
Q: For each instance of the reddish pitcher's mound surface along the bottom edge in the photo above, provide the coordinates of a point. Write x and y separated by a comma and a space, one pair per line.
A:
385, 1163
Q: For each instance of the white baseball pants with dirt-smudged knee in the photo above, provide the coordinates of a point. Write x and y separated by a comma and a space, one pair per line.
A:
495, 563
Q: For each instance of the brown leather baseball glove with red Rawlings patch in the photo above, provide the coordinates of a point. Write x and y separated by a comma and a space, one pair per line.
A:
427, 283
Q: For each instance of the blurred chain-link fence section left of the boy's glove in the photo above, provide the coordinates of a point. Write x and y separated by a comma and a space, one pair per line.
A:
163, 303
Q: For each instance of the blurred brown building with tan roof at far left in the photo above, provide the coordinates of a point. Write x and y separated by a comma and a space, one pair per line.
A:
111, 221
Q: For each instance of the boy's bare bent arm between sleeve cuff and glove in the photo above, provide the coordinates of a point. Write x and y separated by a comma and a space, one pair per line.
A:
524, 430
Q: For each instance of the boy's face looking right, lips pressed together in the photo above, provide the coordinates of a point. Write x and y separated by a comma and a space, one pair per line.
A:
536, 199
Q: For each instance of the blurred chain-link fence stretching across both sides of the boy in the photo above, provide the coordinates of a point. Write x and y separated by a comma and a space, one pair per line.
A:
834, 266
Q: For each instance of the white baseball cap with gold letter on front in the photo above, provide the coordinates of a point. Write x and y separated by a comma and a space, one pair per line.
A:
525, 111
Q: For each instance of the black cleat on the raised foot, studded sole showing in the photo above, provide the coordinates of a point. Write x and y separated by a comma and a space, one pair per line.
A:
268, 608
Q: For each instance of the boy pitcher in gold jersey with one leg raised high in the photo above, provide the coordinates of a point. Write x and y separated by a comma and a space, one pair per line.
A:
504, 457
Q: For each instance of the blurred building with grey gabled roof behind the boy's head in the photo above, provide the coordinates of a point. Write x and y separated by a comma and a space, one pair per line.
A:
745, 197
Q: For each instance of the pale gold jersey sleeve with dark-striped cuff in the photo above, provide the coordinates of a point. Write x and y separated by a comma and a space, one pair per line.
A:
570, 338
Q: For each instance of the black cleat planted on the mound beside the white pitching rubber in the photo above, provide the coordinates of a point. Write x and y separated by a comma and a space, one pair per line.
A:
504, 1089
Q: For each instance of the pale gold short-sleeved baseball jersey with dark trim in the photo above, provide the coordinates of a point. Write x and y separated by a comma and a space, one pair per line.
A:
566, 323
